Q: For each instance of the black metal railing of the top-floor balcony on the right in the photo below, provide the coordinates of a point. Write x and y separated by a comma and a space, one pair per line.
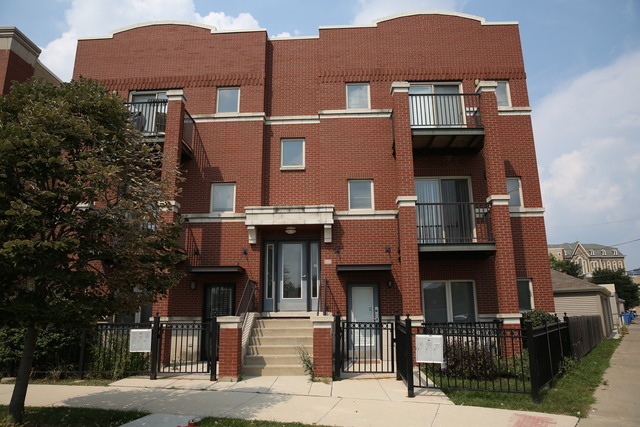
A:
445, 111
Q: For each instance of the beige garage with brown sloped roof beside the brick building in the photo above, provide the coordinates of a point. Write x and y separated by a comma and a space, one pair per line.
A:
577, 297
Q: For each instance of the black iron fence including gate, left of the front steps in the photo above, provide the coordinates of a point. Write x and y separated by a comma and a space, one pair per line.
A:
104, 351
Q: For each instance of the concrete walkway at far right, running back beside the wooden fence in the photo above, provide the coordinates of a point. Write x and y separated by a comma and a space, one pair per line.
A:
617, 397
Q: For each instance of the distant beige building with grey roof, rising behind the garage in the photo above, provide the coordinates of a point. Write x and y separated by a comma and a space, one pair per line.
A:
588, 256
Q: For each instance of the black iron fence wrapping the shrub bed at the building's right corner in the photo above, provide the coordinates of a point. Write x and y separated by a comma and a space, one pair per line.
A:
491, 356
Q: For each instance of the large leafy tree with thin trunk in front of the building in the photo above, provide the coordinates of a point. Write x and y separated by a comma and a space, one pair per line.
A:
80, 205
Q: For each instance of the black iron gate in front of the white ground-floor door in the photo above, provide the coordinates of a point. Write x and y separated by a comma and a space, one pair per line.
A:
363, 347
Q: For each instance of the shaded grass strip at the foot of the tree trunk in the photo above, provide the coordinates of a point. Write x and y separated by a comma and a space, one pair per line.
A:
63, 417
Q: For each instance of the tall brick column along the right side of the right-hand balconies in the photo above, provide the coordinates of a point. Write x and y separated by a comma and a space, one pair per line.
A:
505, 270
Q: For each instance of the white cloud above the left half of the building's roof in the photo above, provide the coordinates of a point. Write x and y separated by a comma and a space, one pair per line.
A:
86, 18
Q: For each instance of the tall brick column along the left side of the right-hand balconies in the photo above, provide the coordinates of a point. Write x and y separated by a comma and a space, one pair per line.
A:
409, 283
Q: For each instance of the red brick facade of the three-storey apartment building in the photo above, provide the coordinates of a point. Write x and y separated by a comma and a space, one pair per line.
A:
295, 88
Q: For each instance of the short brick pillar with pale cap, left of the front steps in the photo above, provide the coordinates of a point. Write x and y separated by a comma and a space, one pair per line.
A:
230, 353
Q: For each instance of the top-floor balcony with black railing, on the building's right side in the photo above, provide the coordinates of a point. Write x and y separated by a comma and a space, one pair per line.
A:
446, 123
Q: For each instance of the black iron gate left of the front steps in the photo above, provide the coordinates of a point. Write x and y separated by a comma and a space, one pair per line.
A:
184, 348
